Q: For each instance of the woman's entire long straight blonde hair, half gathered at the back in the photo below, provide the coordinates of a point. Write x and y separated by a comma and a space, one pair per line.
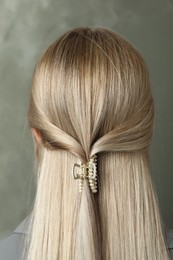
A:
91, 95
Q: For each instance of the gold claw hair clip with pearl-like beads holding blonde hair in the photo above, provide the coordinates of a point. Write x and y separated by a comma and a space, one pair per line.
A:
88, 170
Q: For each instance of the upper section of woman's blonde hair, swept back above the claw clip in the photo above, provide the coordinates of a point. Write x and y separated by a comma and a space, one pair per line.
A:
92, 84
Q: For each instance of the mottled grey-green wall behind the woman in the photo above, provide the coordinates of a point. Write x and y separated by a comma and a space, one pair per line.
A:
27, 27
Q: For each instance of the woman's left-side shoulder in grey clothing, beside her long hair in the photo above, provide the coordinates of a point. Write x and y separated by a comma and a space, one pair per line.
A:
10, 245
